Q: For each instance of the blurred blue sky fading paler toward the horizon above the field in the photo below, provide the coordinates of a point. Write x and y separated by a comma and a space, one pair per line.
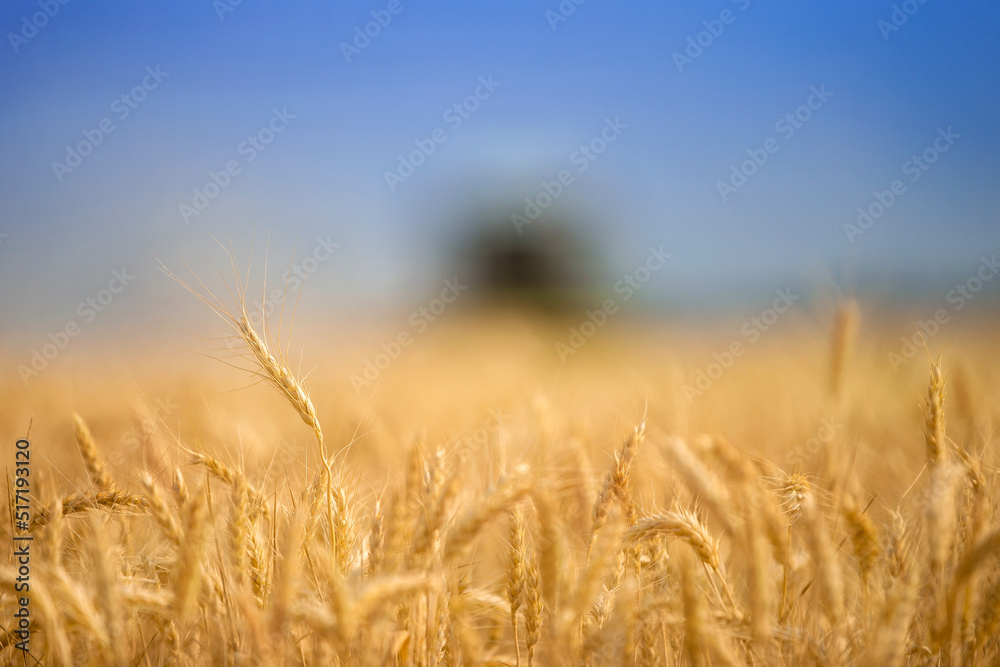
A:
323, 175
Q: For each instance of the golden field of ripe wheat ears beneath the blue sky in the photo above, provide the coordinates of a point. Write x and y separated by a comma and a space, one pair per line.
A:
484, 503
